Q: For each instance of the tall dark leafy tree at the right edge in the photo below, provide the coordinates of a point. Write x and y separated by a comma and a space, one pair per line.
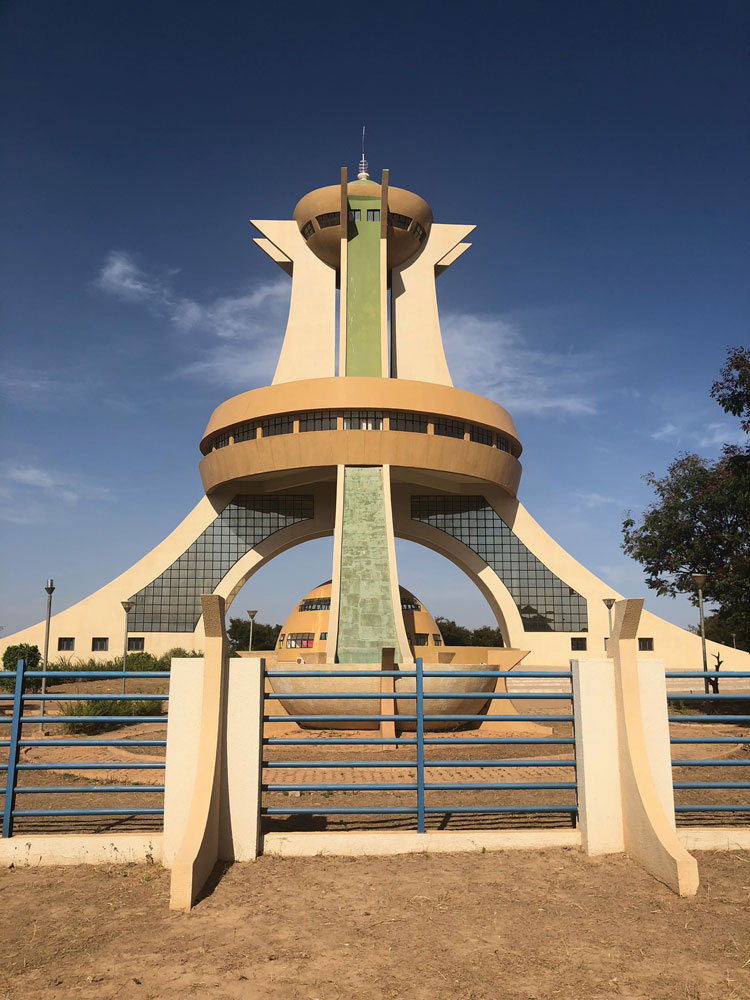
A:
700, 520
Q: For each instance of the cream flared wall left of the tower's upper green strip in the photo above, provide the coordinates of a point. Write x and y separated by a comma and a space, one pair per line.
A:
308, 349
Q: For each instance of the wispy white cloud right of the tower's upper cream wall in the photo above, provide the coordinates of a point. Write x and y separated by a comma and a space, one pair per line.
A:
488, 355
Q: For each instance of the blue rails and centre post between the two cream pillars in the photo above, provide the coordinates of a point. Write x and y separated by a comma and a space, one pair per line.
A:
416, 743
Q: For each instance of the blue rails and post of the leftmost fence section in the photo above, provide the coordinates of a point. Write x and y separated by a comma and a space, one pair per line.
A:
23, 700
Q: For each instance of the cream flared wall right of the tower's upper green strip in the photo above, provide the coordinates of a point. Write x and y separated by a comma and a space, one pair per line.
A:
415, 324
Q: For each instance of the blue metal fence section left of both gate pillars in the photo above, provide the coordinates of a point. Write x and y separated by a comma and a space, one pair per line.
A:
19, 772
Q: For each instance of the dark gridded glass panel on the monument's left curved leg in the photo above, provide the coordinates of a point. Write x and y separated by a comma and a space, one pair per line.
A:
172, 602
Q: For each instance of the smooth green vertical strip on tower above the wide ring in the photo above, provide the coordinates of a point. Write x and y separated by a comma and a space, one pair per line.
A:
363, 335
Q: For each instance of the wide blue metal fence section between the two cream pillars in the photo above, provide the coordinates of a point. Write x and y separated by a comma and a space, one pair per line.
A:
421, 754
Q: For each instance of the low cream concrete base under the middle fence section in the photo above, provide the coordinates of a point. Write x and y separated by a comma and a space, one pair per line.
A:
362, 843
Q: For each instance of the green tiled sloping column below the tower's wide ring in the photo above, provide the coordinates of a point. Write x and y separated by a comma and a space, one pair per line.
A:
366, 616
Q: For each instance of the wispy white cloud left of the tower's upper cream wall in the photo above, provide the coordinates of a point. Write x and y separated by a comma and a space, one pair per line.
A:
243, 323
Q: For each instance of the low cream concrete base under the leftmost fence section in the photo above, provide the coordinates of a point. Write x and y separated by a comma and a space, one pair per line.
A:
92, 849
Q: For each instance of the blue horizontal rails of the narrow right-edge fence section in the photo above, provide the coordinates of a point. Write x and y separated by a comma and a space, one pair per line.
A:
741, 802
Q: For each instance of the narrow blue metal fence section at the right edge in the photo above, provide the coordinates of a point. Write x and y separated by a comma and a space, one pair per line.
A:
716, 776
